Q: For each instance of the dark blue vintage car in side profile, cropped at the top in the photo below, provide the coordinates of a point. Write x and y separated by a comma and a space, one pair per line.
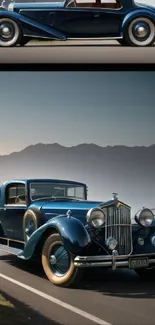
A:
128, 22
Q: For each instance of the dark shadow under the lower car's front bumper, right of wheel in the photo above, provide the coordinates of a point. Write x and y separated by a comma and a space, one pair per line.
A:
119, 283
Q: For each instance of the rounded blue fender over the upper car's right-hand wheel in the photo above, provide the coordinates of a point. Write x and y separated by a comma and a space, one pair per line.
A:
135, 14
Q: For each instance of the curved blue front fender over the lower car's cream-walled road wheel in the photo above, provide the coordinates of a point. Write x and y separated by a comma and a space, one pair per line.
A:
73, 233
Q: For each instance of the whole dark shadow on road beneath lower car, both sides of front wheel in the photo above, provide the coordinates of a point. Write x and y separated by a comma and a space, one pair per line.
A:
122, 283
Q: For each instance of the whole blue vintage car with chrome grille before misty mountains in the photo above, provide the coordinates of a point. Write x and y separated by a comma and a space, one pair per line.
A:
53, 220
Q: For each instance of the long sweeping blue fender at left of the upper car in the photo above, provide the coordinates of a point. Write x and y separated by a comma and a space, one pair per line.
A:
32, 27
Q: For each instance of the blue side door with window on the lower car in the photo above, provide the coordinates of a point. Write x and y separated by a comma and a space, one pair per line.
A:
13, 211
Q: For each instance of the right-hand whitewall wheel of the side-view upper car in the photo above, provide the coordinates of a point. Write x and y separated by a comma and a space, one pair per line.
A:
140, 32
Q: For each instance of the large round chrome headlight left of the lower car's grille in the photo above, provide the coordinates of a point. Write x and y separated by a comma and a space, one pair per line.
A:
96, 217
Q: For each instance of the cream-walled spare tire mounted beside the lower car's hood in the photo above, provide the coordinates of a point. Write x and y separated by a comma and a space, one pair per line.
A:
30, 224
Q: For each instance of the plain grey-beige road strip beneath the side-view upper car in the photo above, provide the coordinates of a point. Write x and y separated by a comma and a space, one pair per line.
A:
77, 52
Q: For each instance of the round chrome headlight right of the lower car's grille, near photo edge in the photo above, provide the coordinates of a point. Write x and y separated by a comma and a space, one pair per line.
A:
144, 217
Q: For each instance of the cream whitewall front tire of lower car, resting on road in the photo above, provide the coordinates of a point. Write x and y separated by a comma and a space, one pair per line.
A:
61, 272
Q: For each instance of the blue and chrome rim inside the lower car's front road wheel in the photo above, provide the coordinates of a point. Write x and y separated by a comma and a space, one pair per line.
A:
59, 260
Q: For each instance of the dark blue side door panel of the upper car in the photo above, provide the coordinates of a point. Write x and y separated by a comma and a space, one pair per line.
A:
81, 22
